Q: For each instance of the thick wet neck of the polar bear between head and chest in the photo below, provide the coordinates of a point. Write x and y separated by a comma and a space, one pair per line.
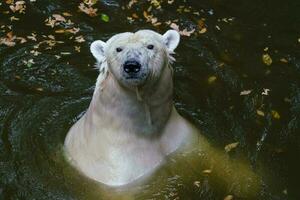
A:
143, 111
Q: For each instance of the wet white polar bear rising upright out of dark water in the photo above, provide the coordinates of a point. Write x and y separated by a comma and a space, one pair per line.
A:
131, 124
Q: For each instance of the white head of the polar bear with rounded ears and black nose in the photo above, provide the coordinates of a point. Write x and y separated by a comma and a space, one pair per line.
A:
135, 59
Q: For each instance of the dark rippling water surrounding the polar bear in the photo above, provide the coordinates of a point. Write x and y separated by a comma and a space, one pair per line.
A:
40, 100
